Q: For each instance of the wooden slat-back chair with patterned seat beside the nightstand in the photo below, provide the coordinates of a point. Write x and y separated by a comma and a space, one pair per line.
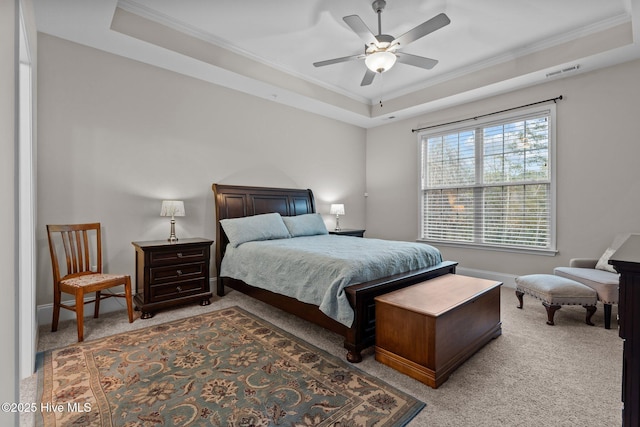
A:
83, 259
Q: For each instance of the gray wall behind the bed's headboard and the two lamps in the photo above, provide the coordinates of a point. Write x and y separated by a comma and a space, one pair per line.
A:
117, 136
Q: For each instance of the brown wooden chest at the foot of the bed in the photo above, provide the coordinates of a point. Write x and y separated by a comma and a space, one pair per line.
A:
429, 329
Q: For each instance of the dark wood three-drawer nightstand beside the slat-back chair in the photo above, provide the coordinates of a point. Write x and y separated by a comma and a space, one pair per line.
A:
170, 274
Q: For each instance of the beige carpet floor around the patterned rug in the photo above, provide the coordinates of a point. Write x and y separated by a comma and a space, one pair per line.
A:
532, 375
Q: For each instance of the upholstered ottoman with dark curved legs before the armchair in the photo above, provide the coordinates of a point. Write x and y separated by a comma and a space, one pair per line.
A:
556, 291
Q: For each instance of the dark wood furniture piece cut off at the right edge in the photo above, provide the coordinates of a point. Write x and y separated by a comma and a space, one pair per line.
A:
626, 261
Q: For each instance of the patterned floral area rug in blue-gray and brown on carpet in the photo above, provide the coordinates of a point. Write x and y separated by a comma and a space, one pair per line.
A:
225, 368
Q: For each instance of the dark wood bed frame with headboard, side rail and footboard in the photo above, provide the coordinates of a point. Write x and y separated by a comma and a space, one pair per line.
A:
240, 201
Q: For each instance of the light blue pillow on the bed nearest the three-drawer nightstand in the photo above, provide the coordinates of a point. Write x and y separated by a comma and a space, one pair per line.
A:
253, 228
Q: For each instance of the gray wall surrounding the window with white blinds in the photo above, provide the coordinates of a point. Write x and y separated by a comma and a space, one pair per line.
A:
598, 178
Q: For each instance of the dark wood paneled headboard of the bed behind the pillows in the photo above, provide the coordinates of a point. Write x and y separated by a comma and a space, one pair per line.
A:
234, 201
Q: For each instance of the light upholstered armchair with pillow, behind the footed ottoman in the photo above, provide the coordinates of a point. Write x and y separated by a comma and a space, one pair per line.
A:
598, 275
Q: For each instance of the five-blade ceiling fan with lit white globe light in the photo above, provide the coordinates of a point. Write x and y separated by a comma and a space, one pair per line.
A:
381, 51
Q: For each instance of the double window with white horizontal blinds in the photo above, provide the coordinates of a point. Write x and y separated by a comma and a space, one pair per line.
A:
490, 183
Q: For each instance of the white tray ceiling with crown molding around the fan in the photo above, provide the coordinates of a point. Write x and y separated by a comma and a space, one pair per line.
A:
268, 48
